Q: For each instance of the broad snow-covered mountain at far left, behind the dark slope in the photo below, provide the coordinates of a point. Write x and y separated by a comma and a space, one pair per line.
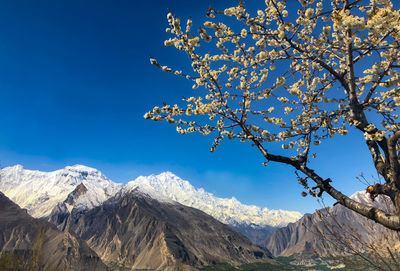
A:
39, 192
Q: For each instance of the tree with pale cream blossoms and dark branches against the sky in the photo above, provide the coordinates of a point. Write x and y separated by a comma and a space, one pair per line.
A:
342, 72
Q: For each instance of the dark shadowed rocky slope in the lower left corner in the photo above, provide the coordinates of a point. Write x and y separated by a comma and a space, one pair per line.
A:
32, 244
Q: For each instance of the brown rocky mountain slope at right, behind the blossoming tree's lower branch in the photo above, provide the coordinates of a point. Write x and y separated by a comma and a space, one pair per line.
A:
332, 231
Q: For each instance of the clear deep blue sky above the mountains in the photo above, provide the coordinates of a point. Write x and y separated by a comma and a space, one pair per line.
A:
75, 81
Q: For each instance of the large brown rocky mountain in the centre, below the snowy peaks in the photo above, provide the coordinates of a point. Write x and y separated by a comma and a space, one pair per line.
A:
136, 231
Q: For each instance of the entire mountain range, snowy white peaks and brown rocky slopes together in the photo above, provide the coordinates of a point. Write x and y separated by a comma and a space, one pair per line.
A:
161, 222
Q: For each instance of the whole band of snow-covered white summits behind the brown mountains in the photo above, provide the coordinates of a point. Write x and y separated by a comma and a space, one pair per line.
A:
39, 192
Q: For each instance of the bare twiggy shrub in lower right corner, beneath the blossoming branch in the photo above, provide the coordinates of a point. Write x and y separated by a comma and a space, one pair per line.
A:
358, 242
